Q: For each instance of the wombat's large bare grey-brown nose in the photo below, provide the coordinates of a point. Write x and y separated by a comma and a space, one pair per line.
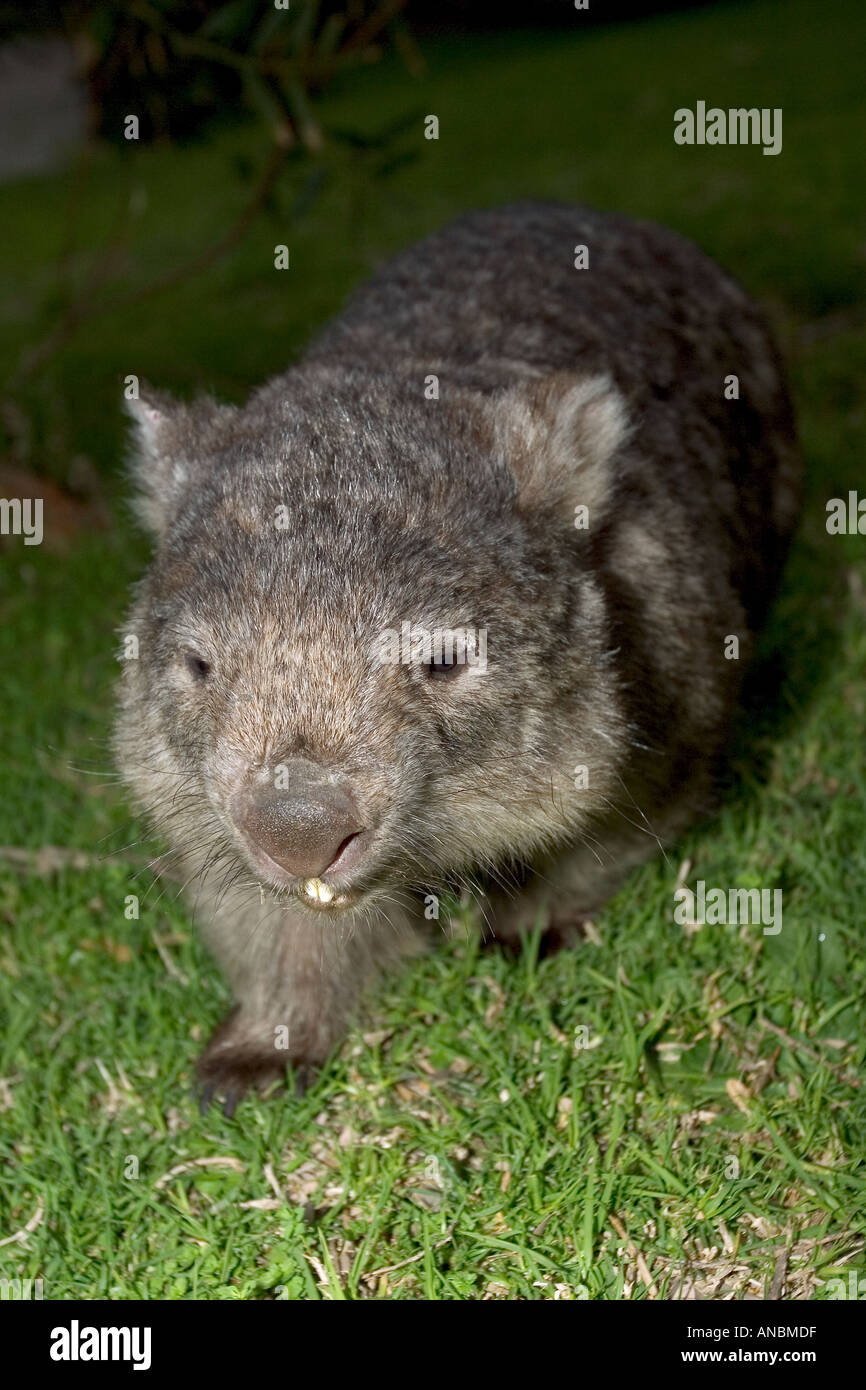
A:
302, 821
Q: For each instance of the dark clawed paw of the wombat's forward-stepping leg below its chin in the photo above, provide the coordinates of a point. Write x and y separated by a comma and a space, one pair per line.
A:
234, 1064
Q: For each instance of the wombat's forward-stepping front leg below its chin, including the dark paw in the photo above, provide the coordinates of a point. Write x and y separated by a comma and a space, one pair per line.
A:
297, 982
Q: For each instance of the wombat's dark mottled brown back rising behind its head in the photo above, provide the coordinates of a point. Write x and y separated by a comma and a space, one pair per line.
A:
496, 298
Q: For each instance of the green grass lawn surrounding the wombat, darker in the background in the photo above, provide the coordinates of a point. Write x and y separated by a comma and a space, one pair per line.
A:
712, 1131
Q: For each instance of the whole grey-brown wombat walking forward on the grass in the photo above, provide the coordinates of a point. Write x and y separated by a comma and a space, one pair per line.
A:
450, 605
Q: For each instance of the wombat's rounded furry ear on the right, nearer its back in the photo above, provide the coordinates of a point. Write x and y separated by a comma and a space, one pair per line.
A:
561, 437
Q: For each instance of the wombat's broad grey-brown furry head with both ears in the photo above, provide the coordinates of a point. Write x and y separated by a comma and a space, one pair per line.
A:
370, 651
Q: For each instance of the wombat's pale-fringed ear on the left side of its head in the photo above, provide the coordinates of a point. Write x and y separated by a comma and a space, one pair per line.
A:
169, 443
